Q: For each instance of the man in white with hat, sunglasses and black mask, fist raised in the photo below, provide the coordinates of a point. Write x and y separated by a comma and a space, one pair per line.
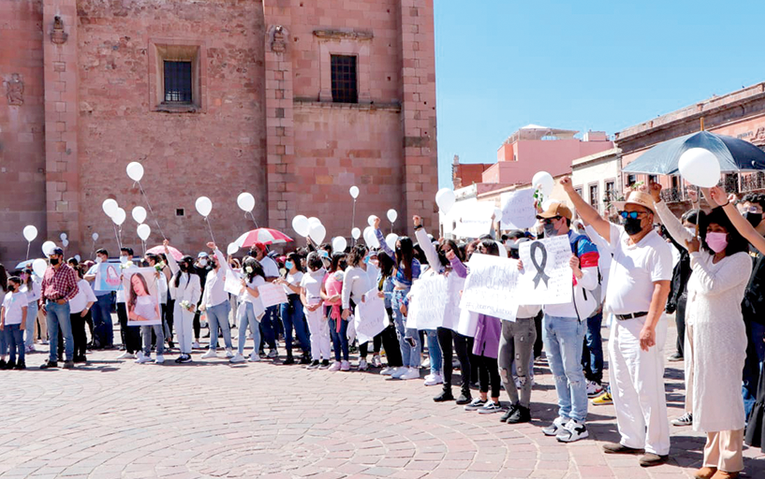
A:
638, 287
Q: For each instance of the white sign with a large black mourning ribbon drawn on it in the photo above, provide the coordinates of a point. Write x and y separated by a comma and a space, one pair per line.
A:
546, 276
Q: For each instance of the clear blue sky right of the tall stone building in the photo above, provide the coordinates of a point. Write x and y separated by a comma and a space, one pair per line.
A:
600, 65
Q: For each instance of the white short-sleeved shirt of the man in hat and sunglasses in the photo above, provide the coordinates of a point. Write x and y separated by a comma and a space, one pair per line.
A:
634, 269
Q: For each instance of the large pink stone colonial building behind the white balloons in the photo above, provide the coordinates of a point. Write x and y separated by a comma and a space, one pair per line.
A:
293, 101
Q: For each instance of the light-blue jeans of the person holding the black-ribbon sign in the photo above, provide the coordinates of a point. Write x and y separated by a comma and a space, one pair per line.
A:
564, 340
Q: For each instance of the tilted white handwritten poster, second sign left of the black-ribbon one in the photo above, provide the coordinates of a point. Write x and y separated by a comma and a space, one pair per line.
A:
426, 308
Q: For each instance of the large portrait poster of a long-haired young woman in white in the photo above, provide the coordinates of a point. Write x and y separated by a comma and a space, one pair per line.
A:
141, 296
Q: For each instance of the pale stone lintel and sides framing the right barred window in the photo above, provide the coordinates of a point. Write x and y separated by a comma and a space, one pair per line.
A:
356, 43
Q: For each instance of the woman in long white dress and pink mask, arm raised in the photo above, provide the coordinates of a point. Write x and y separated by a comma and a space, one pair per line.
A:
715, 340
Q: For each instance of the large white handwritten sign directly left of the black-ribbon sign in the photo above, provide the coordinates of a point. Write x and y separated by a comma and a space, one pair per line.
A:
490, 286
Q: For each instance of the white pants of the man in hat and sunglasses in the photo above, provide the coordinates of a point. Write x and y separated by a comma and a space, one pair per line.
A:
637, 386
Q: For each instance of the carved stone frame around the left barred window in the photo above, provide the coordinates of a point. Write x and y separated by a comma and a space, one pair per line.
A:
193, 50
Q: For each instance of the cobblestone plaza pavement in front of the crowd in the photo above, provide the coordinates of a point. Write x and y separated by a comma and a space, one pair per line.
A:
115, 419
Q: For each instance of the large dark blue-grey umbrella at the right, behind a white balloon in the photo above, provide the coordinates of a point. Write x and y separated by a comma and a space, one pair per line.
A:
734, 155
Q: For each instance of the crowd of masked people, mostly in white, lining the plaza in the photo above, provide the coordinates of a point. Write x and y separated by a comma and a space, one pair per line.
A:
705, 267
